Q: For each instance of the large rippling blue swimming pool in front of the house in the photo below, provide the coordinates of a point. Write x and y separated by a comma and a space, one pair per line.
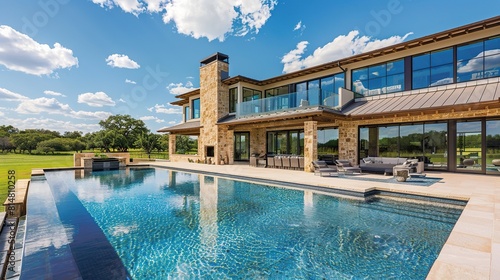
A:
147, 223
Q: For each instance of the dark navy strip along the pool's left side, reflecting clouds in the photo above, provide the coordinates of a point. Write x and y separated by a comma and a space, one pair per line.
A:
63, 241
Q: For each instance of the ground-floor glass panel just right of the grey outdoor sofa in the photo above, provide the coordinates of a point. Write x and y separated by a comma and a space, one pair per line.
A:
435, 146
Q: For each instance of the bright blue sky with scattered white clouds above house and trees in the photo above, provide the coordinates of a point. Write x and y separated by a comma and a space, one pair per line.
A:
66, 64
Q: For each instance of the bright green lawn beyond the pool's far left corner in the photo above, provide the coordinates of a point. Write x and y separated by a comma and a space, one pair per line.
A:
22, 165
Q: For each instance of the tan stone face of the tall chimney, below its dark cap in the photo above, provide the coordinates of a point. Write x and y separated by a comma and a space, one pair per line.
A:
213, 106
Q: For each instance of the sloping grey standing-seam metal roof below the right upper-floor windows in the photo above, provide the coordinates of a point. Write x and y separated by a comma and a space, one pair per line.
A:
430, 98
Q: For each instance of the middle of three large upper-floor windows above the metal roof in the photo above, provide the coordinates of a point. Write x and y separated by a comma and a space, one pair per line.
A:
432, 69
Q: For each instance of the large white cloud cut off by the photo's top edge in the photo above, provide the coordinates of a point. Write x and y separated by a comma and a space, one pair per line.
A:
203, 18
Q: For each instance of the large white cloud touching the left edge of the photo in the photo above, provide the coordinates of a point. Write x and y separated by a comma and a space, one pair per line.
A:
19, 52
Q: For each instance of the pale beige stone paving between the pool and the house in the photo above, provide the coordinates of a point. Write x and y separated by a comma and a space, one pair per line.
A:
474, 243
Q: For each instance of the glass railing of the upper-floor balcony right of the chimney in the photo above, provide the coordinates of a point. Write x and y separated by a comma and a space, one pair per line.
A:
289, 101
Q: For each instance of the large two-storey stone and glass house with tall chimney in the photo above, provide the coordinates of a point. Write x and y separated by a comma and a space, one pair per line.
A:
436, 98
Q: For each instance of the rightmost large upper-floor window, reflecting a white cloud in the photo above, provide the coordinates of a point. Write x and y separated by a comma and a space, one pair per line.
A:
478, 60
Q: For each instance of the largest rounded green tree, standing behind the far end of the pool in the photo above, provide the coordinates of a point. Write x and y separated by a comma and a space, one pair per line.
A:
123, 131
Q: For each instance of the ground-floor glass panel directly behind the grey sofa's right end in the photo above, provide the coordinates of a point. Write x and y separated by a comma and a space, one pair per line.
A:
411, 141
